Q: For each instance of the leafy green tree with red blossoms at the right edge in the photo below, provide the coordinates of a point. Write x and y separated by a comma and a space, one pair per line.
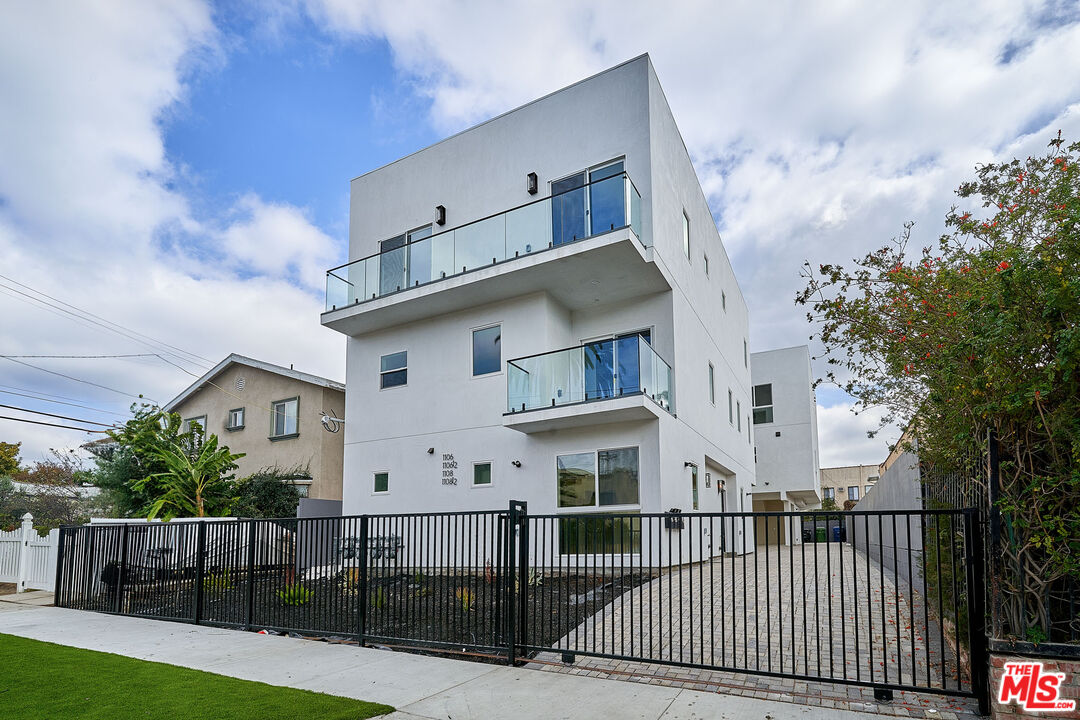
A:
980, 334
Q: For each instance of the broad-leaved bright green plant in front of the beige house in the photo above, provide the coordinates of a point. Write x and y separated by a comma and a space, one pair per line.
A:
197, 481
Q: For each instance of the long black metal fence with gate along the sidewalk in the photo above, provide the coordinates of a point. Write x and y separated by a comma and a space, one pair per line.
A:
884, 600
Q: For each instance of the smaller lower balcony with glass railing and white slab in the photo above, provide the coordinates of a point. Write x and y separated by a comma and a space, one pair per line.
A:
613, 381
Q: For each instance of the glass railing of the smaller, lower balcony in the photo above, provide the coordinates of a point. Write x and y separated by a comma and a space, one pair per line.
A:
592, 372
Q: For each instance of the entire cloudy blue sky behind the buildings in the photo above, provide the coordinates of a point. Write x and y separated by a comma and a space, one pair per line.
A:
182, 168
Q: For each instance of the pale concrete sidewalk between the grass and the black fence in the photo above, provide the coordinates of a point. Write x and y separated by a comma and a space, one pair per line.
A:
420, 687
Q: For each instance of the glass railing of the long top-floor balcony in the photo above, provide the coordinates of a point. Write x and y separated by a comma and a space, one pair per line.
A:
590, 210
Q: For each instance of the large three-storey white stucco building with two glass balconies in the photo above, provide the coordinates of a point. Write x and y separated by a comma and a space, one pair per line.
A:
541, 309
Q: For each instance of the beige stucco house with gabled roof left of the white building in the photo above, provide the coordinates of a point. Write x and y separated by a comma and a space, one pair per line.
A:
274, 415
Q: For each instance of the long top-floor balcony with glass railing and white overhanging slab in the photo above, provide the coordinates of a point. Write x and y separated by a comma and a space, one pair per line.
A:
580, 246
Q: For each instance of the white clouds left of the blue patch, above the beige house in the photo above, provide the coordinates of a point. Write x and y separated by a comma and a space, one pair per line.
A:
89, 215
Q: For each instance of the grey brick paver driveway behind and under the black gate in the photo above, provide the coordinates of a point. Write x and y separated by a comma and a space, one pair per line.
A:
821, 610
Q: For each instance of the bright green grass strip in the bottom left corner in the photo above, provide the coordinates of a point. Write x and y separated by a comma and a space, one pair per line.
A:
47, 682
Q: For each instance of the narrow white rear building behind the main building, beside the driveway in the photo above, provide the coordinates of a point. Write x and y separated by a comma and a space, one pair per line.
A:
786, 431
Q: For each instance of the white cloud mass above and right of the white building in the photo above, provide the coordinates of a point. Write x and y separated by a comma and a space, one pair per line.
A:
818, 129
